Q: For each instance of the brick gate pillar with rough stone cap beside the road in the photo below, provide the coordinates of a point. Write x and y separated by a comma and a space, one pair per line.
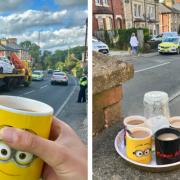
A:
108, 75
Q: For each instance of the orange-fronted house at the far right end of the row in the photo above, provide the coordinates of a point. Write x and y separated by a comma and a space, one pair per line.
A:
170, 16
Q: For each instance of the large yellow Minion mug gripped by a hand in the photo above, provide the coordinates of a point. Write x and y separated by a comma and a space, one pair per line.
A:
30, 115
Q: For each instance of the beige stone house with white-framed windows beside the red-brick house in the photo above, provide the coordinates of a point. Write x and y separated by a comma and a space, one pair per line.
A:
141, 14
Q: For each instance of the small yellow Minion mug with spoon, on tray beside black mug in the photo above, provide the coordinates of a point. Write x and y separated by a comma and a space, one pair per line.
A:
139, 145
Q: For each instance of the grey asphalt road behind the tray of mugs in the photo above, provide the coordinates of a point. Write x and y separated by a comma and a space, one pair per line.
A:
156, 73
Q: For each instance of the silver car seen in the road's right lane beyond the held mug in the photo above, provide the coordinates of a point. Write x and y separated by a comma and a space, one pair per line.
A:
59, 78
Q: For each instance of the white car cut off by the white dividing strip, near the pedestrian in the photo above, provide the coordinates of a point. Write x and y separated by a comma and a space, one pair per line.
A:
99, 46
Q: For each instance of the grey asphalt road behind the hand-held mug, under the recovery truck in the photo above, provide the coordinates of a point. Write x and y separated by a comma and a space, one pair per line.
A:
61, 98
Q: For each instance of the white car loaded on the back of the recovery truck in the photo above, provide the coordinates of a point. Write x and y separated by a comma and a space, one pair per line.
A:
6, 66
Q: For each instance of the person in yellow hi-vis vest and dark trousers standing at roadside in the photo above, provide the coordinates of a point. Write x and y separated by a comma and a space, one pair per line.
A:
83, 86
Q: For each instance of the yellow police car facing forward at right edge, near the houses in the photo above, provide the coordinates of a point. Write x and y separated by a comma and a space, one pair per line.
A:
170, 45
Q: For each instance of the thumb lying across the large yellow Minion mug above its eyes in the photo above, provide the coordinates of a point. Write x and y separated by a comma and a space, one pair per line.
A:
49, 151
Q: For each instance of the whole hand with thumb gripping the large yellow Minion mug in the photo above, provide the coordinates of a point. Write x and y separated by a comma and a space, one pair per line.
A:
65, 155
